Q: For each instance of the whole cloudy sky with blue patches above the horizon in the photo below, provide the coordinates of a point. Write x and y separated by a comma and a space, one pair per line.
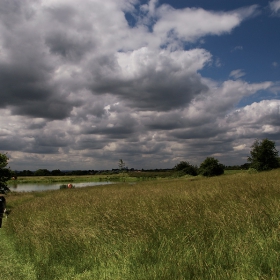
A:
84, 84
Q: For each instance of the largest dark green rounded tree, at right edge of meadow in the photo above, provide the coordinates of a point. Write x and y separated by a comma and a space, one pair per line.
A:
263, 155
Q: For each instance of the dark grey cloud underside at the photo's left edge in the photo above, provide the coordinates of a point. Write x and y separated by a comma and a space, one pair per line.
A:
25, 86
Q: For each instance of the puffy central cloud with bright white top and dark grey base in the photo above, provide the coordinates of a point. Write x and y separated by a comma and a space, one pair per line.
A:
157, 81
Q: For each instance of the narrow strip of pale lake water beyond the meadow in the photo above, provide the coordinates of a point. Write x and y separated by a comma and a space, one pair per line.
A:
46, 187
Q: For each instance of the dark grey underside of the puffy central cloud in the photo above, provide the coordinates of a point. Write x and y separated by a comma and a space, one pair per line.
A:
156, 91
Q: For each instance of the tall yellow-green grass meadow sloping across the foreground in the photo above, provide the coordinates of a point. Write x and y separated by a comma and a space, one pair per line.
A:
225, 227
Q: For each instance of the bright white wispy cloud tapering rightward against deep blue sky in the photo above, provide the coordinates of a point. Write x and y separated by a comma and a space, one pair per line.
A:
192, 23
